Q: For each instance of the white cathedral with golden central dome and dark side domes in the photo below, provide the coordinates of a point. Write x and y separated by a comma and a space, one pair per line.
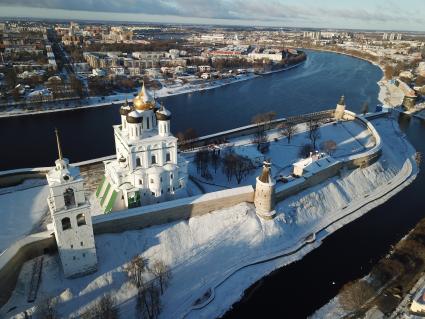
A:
147, 168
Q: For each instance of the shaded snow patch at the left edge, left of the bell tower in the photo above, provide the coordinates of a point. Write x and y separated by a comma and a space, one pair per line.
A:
22, 210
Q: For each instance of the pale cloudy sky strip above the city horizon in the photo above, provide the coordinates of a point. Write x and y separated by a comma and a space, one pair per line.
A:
355, 14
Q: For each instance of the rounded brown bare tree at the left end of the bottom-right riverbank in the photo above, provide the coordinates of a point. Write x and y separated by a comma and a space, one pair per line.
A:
353, 295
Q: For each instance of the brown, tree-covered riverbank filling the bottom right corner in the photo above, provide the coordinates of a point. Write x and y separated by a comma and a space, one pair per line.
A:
394, 288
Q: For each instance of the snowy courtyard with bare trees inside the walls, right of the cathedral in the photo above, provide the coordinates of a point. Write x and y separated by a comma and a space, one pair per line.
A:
351, 138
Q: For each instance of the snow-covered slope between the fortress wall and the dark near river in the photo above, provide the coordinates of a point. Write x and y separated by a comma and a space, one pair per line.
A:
214, 252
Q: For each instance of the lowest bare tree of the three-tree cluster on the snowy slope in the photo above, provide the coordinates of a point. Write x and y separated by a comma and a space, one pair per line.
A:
148, 303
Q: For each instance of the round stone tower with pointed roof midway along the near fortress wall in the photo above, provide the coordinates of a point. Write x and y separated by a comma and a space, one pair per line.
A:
264, 199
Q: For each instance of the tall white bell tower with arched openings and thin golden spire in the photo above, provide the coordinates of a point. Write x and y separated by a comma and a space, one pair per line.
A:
71, 218
